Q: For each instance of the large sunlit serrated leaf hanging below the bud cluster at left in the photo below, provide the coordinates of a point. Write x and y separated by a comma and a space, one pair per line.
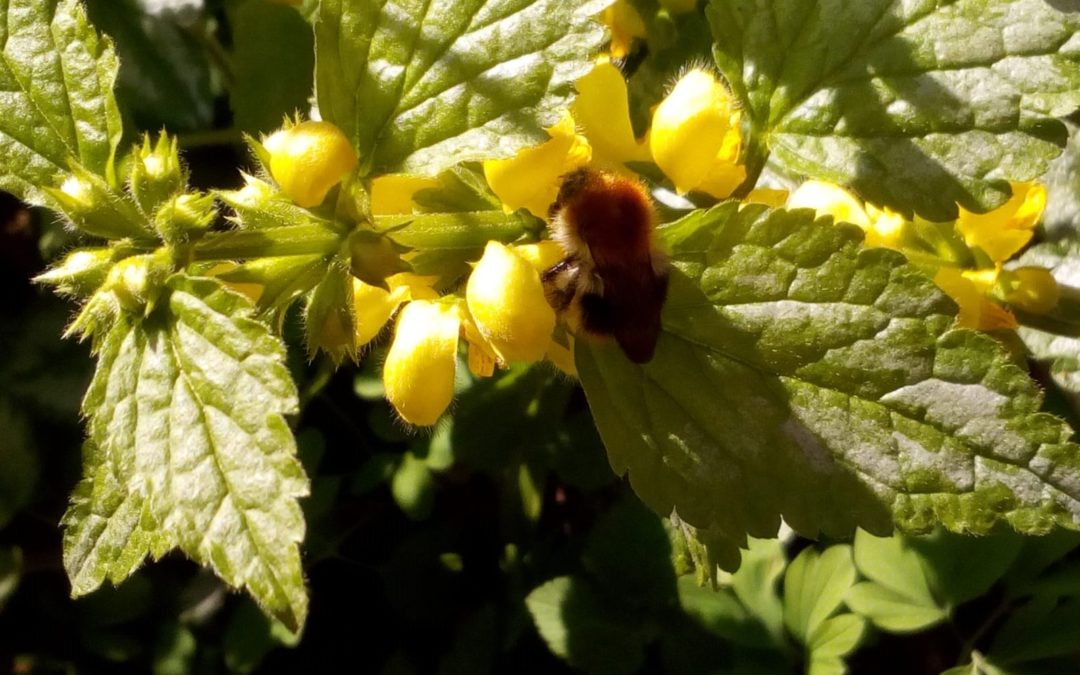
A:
188, 449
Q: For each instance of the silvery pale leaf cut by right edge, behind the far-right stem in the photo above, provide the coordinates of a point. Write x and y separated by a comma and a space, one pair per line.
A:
1061, 353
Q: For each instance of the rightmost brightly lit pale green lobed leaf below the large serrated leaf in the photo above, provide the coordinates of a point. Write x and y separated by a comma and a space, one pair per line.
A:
898, 598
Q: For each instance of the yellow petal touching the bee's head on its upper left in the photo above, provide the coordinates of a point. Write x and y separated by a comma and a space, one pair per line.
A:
531, 179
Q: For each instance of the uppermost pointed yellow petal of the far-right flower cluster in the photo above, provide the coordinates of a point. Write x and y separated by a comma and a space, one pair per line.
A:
1004, 232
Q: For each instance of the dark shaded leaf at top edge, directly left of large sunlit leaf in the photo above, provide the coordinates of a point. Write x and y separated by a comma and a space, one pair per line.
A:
273, 62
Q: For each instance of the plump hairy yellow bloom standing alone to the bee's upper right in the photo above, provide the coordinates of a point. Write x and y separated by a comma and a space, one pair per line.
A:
695, 137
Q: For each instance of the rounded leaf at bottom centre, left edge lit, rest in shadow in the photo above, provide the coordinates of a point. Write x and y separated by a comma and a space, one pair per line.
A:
578, 626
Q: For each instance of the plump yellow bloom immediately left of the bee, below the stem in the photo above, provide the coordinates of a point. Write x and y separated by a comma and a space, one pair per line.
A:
507, 301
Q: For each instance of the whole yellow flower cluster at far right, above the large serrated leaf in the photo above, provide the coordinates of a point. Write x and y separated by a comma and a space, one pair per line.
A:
966, 259
